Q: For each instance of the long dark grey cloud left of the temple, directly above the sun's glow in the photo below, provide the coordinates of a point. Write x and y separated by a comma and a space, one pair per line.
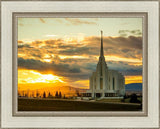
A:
60, 69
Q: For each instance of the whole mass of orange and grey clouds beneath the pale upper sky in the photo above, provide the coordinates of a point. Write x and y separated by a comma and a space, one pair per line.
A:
73, 60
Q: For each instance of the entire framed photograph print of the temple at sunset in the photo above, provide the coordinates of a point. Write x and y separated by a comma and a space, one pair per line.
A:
80, 64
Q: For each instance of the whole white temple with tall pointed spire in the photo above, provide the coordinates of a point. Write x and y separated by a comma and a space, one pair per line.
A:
105, 82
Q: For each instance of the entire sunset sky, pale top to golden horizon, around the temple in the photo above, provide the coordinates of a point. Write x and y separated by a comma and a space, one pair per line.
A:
65, 51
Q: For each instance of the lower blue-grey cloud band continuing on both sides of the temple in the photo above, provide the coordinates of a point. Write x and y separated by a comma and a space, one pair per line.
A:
77, 69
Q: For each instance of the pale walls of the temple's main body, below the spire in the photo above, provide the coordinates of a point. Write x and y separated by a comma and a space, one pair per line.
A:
108, 85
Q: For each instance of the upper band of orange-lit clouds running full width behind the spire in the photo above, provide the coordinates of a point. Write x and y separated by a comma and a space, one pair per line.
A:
129, 47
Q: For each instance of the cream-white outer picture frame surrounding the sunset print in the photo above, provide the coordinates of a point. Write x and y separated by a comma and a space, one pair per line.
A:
8, 8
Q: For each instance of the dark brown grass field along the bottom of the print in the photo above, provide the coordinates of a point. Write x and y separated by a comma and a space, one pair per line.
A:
71, 105
